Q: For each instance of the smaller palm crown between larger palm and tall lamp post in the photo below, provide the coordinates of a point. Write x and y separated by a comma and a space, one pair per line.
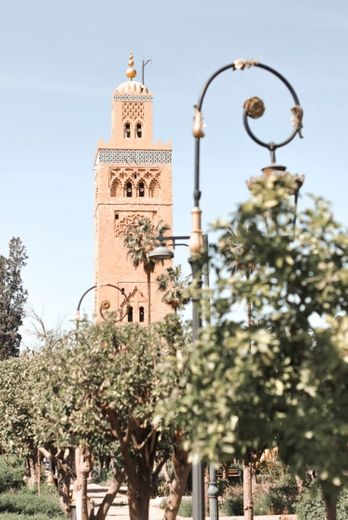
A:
174, 286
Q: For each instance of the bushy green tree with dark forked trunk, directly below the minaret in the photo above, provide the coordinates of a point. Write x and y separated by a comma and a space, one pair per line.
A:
100, 387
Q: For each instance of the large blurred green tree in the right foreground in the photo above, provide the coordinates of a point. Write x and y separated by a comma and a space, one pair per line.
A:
284, 378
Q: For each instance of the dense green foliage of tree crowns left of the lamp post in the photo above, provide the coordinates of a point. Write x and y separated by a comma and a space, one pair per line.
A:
98, 387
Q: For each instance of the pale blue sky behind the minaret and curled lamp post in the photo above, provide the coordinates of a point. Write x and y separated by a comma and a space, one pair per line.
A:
61, 60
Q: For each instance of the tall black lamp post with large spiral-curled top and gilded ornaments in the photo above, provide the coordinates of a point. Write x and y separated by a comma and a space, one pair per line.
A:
253, 108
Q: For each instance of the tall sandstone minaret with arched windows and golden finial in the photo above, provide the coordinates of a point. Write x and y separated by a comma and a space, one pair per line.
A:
133, 179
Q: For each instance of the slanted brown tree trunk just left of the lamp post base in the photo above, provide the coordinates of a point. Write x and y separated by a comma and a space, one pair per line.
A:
177, 487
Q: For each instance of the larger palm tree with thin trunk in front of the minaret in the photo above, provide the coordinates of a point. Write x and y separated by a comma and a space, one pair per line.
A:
140, 239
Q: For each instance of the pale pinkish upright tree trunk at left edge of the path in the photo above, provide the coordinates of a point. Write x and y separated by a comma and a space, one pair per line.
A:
83, 465
